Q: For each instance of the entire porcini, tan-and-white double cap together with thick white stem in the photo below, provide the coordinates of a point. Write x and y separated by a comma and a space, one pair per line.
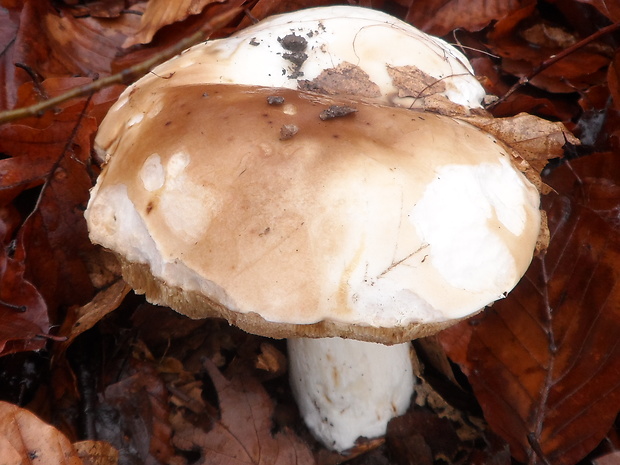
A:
306, 216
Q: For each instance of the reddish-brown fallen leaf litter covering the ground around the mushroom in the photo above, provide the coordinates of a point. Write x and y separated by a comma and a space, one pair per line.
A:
157, 408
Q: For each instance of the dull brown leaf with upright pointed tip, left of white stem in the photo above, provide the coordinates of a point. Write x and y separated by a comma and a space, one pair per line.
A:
243, 434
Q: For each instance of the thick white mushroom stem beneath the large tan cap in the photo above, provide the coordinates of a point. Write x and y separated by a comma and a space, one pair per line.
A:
346, 389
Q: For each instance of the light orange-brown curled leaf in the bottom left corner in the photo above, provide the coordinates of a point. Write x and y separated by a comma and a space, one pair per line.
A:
24, 438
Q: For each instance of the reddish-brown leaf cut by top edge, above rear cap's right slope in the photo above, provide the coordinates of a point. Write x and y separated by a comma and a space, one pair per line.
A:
438, 17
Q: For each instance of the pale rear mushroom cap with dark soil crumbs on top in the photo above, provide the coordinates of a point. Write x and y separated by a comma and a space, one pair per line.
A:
336, 50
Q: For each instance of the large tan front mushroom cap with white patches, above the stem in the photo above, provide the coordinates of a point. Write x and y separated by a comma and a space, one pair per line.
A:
379, 223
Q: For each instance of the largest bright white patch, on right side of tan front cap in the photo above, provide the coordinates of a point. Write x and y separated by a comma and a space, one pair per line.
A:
454, 216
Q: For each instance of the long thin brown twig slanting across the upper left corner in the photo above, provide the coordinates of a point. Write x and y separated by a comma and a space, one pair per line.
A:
125, 76
